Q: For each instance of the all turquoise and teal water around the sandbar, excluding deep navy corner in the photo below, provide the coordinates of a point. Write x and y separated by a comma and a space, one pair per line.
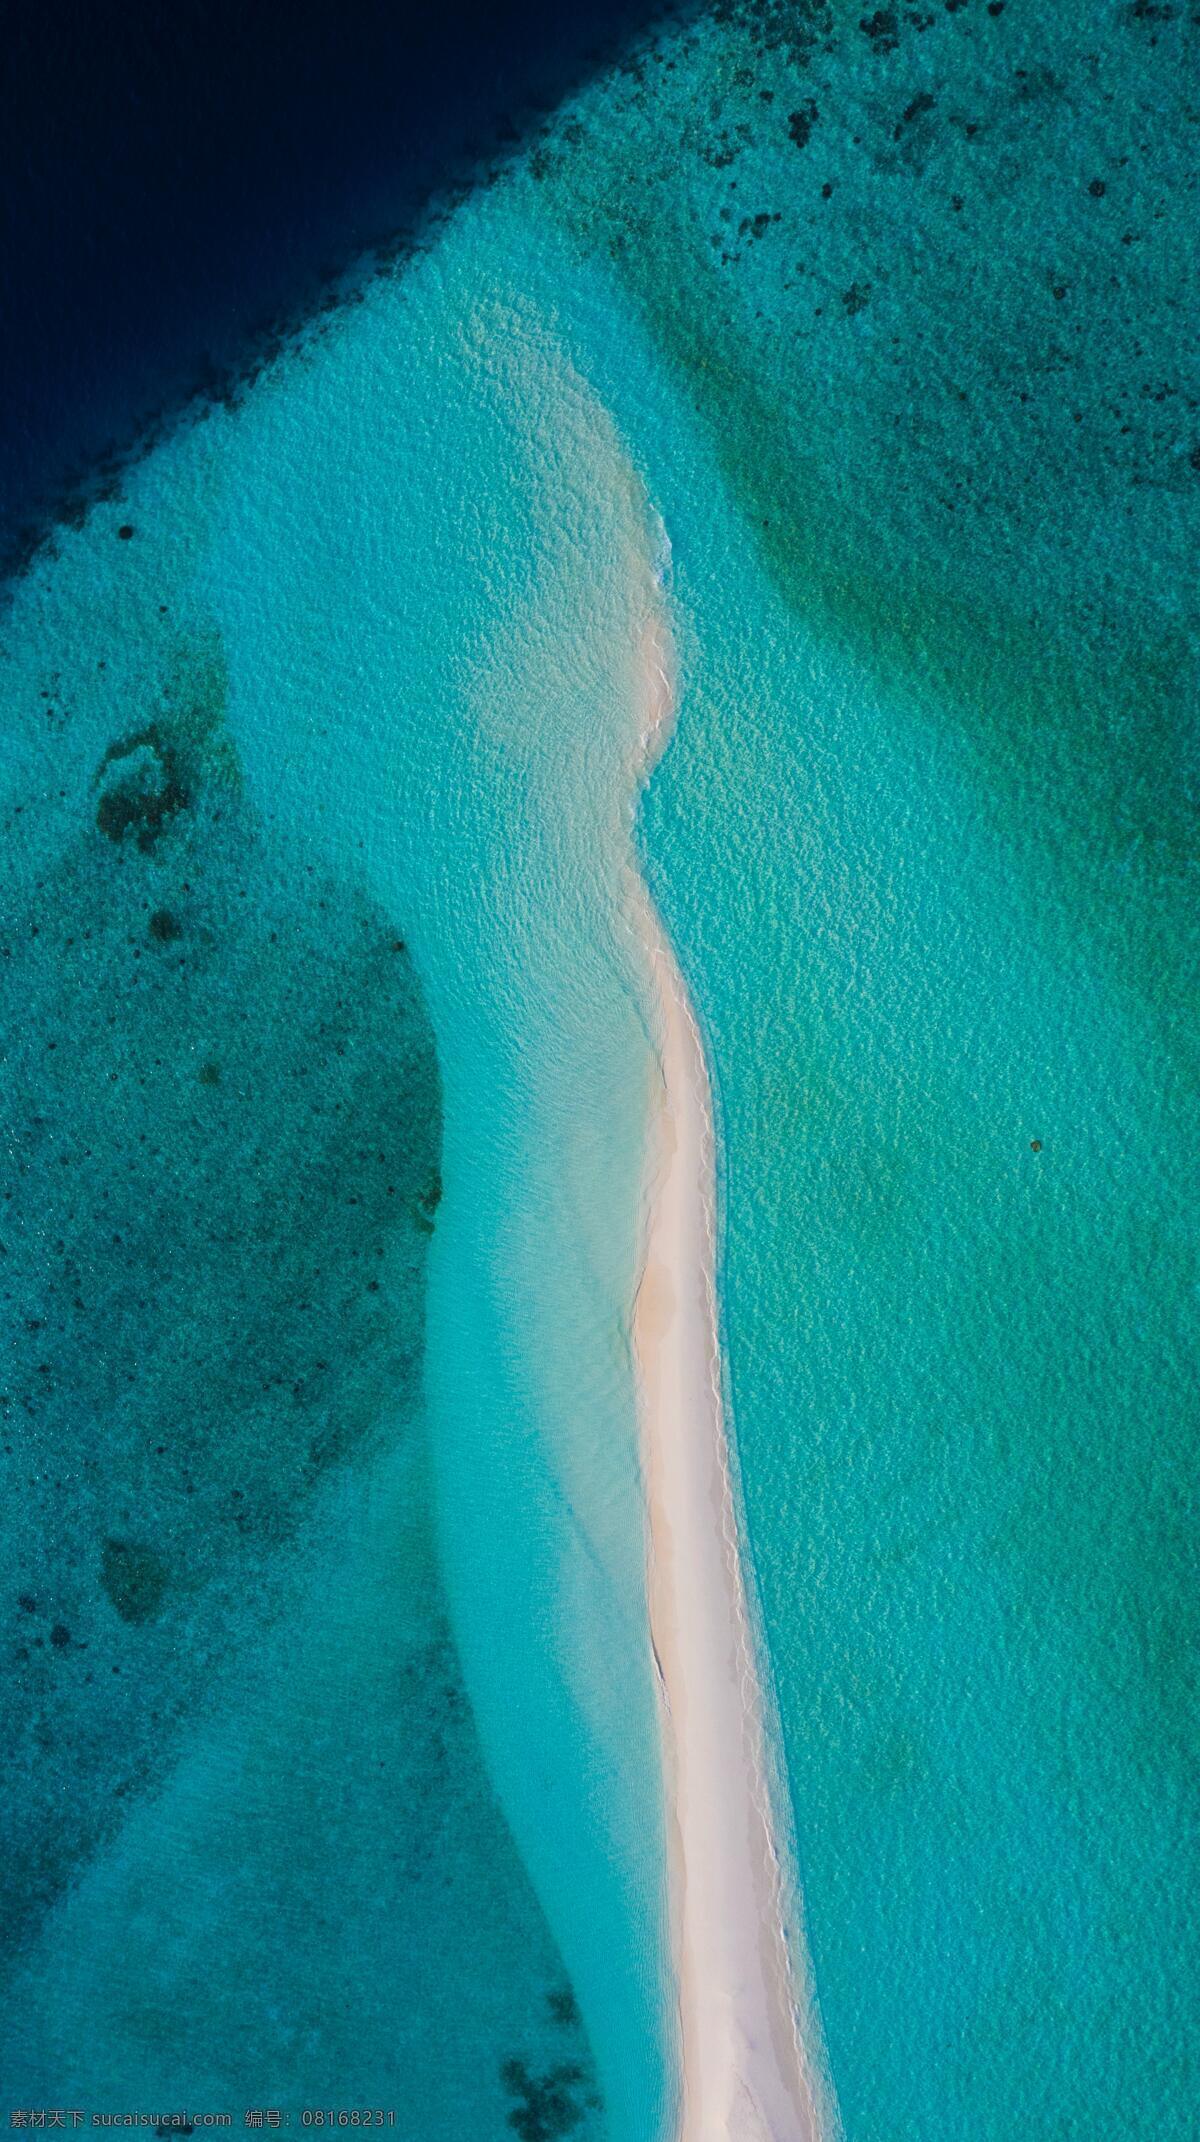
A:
327, 1087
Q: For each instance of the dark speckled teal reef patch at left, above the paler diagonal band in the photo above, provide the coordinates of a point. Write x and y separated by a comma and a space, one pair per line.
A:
222, 1130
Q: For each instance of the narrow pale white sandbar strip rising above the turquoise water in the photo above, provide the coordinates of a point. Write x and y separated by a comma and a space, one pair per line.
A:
745, 2068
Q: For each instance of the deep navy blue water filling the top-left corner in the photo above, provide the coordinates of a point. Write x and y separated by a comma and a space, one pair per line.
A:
179, 183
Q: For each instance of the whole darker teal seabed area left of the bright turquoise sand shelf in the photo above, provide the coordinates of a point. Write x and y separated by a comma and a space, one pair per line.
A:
226, 1659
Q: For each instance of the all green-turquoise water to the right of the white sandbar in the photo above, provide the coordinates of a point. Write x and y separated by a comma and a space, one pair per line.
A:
927, 845
